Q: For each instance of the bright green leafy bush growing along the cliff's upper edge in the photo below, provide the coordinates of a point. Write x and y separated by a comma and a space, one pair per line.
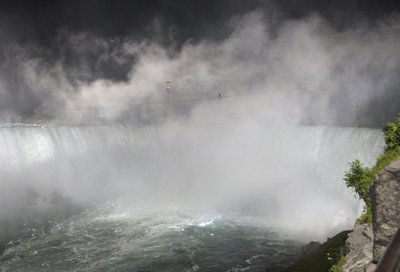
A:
360, 178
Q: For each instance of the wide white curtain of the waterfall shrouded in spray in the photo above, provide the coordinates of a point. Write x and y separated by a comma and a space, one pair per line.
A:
289, 176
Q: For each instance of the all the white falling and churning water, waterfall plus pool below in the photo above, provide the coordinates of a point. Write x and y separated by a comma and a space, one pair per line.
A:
174, 198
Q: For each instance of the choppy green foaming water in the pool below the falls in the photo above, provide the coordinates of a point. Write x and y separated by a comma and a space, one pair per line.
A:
131, 237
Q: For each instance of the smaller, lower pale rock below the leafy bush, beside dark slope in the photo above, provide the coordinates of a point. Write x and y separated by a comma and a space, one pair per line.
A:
359, 248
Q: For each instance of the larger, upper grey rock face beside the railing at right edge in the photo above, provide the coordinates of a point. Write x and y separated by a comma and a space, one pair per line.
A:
385, 195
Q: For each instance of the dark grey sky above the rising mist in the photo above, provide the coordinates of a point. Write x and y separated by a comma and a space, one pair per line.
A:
193, 19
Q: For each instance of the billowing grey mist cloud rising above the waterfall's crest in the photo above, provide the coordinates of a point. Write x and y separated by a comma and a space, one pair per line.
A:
304, 68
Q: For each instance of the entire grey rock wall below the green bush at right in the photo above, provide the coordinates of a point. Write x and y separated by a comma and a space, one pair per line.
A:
366, 244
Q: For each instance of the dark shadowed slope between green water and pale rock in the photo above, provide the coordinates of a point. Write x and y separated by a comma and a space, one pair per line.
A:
323, 258
